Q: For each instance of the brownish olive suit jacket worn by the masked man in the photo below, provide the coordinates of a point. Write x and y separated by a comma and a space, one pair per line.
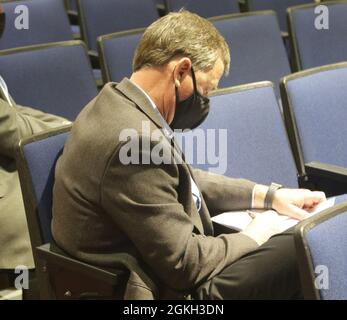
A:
102, 206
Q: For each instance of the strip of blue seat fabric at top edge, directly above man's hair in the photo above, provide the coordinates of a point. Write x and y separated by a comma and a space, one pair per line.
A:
205, 8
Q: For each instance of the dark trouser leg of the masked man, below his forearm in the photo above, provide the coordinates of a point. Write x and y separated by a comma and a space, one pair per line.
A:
269, 272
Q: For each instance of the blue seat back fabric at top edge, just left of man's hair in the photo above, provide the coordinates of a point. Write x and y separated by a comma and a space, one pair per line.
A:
108, 16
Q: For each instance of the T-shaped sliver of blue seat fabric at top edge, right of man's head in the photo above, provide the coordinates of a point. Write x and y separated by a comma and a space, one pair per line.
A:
279, 6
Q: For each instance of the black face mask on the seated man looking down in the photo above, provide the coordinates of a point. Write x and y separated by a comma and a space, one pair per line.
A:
192, 111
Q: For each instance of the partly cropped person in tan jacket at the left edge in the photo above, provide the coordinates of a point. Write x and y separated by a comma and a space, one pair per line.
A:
16, 122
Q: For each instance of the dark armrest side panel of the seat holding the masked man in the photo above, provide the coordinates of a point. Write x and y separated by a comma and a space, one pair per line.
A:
63, 277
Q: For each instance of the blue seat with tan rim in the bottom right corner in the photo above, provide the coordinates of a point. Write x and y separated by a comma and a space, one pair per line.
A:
321, 246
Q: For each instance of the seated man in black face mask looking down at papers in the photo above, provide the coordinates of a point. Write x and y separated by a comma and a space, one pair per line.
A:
160, 211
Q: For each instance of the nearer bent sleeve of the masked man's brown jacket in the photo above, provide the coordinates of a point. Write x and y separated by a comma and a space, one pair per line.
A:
143, 200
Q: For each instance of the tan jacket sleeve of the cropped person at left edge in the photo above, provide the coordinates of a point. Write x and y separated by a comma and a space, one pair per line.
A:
19, 122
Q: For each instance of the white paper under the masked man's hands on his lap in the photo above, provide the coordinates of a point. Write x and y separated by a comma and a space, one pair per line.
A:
239, 220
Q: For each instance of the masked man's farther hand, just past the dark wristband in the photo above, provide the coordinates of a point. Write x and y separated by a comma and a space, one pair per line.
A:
296, 203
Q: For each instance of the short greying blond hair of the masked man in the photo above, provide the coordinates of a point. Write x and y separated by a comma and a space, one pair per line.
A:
182, 34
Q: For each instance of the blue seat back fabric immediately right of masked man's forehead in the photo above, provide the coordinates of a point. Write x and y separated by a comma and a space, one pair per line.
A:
257, 49
